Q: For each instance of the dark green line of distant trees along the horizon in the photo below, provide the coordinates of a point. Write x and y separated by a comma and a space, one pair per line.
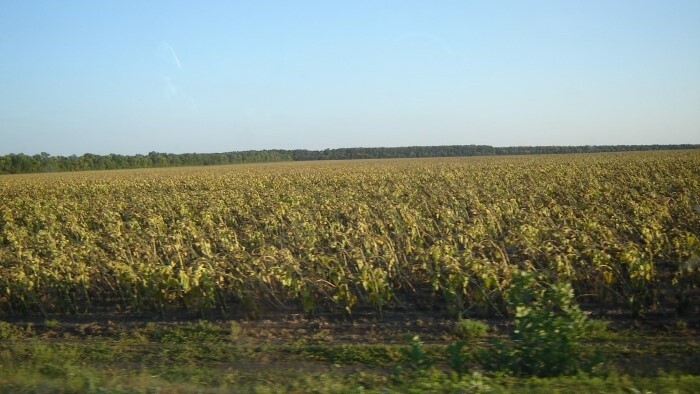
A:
44, 162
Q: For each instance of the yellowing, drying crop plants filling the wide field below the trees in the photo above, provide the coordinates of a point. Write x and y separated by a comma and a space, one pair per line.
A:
435, 233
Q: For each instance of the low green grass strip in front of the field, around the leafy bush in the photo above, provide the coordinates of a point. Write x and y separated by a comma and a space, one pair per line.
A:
205, 356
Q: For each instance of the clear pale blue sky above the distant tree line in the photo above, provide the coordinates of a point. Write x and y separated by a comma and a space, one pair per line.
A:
200, 76
